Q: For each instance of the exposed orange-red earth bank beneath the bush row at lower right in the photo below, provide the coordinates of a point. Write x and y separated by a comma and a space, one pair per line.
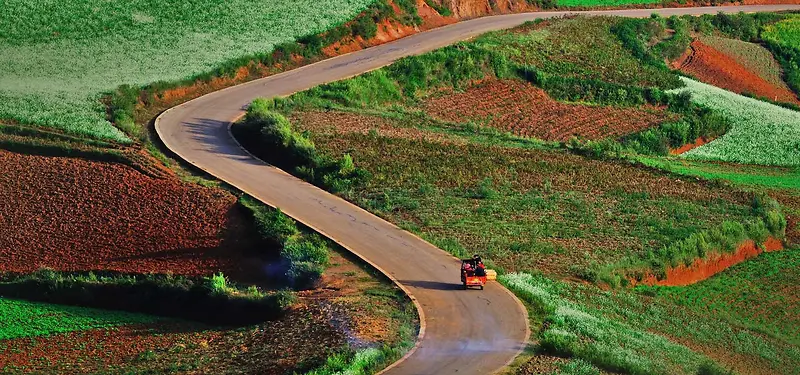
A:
715, 263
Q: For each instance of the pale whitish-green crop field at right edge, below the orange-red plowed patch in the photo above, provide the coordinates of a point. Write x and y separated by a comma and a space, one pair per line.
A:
762, 133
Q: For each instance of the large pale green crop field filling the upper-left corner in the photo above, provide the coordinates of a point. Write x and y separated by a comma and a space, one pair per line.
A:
58, 57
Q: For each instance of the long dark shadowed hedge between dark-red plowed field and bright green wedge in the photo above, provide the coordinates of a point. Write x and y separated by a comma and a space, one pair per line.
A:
211, 300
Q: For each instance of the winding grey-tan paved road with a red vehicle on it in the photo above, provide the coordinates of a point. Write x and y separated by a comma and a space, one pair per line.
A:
464, 332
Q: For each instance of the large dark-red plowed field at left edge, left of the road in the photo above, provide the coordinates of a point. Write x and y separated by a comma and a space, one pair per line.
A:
72, 214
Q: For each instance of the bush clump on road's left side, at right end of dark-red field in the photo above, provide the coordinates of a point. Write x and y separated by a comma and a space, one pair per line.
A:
303, 255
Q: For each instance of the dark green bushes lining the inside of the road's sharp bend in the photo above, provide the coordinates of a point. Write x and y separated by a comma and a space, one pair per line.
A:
269, 135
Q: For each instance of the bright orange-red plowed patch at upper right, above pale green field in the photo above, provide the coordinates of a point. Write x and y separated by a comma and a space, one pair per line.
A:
714, 67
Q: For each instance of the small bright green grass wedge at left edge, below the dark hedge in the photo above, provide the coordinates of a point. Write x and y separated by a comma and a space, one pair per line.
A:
28, 319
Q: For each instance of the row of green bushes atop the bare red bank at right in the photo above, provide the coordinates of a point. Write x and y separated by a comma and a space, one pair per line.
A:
768, 221
